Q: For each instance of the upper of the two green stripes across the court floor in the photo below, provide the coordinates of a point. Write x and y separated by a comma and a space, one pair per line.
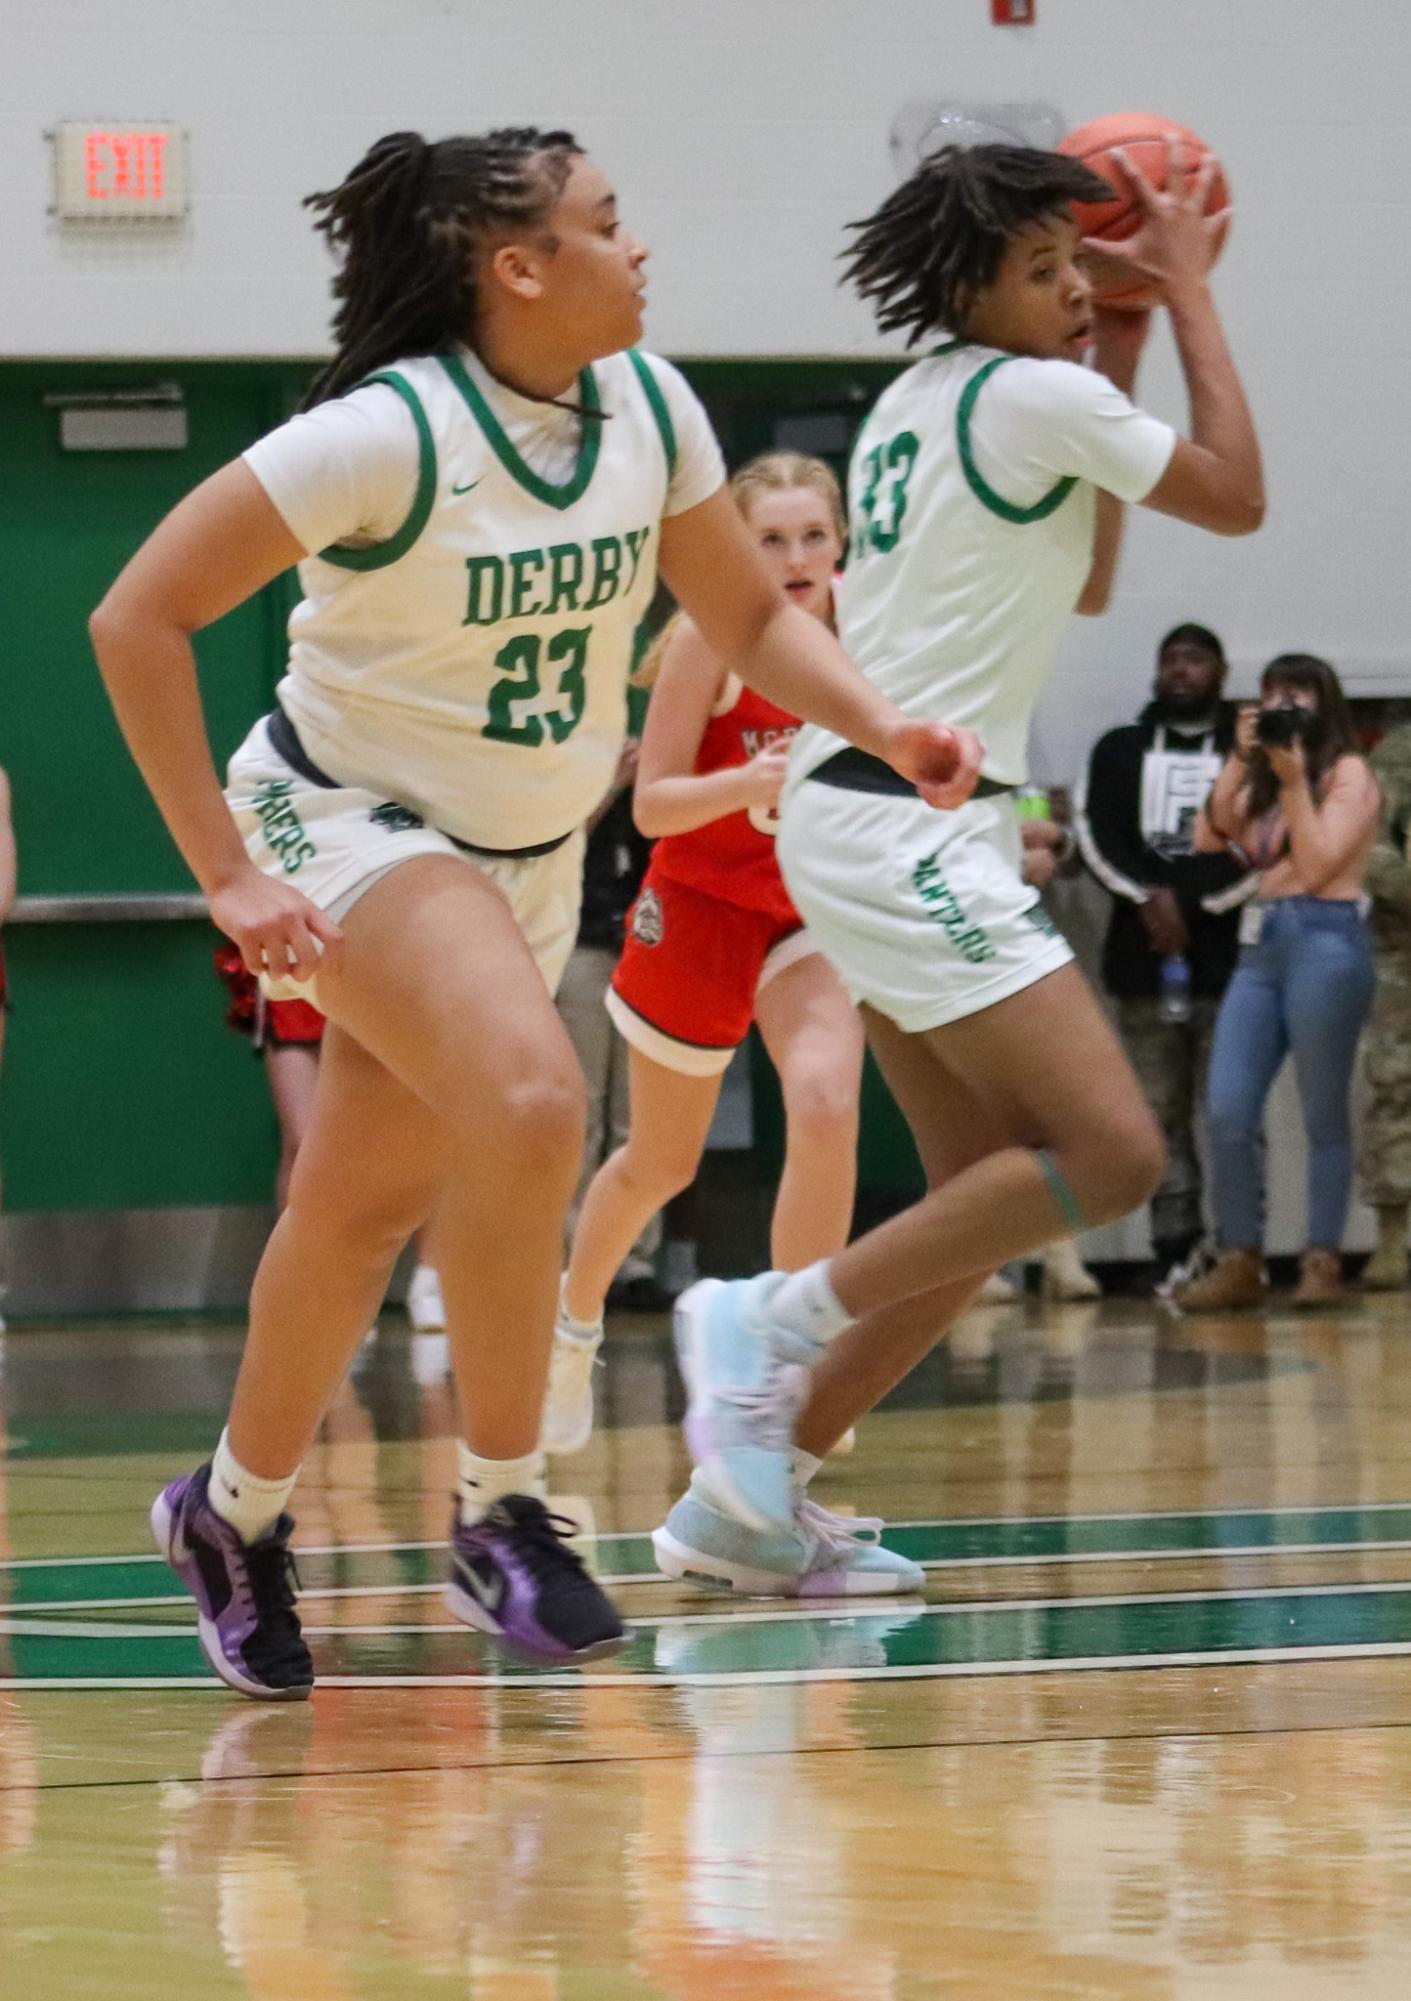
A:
938, 1546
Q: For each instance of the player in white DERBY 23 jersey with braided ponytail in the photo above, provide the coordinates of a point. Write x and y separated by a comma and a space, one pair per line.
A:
477, 499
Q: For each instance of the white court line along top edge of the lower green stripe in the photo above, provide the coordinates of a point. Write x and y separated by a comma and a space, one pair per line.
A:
828, 1612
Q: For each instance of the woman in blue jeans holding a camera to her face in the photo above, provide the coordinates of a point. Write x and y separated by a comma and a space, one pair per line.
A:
1300, 805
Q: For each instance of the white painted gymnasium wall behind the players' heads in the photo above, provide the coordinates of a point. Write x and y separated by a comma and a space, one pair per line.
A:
744, 135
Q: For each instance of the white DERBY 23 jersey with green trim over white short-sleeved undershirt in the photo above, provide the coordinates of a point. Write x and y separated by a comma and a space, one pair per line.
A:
483, 565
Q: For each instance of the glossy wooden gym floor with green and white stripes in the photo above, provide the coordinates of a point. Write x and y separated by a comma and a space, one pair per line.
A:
1148, 1736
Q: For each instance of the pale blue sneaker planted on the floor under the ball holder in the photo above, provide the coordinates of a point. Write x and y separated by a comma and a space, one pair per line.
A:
826, 1556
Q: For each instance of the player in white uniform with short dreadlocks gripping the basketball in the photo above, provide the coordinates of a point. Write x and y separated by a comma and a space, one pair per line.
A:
986, 501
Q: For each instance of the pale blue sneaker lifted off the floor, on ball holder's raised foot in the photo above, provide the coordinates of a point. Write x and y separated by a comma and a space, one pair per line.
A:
746, 1396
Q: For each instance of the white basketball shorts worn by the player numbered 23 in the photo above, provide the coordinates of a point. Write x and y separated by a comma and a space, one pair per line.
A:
333, 843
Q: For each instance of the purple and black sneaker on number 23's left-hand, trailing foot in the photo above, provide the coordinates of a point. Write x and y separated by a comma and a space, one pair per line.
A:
245, 1592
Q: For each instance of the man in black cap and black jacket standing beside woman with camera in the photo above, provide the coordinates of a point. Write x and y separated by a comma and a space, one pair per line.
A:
1174, 929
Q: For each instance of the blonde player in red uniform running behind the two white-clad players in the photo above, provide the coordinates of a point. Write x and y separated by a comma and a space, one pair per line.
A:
716, 943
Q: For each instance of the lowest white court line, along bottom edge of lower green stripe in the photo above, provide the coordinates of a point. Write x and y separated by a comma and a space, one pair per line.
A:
764, 1676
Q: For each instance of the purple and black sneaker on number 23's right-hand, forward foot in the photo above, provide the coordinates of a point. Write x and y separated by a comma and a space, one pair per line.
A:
513, 1576
